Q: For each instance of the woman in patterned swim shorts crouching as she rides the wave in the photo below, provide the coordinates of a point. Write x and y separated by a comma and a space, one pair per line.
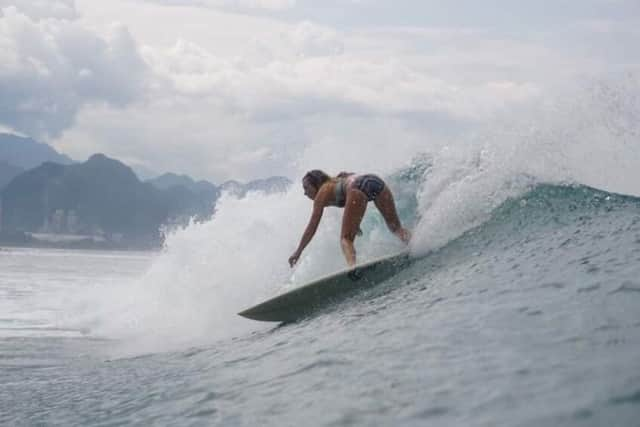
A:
352, 192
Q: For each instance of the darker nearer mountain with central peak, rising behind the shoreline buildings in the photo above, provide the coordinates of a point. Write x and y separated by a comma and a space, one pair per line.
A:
99, 196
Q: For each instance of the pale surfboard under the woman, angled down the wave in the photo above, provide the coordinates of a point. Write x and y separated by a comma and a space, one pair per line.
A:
304, 300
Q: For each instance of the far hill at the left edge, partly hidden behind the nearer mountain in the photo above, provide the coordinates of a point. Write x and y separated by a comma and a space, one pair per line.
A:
27, 153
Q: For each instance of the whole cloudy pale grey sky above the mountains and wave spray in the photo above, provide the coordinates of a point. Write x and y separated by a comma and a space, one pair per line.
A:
244, 89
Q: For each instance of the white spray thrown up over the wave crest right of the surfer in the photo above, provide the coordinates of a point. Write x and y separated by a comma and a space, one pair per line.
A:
588, 135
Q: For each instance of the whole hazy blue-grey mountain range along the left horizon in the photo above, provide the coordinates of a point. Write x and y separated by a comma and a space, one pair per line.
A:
47, 193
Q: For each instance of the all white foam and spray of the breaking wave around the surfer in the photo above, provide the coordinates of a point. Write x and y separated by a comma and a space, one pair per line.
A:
210, 271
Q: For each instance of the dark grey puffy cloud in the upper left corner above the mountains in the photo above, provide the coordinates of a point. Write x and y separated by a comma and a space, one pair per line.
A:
52, 67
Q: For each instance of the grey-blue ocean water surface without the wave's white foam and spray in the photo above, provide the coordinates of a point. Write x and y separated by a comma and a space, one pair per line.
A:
531, 318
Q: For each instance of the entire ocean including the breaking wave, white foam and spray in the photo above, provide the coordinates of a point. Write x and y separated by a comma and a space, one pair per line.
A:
522, 307
